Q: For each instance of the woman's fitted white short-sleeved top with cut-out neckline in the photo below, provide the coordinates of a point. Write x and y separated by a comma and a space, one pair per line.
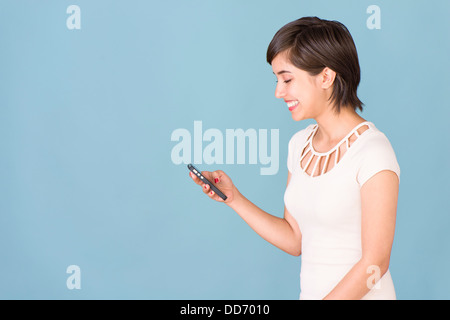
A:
327, 205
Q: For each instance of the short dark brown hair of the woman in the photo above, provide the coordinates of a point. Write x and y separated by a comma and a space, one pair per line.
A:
311, 45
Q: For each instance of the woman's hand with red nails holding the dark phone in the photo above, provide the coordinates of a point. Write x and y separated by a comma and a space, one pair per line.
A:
221, 180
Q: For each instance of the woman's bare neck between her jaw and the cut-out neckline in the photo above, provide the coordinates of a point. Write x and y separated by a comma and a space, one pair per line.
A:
333, 127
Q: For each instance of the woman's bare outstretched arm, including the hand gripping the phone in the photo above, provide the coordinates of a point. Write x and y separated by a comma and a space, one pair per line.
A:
283, 233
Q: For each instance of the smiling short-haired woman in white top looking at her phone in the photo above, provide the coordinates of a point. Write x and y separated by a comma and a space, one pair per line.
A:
343, 176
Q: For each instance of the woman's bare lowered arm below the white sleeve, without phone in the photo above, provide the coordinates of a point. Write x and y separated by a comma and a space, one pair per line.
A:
379, 209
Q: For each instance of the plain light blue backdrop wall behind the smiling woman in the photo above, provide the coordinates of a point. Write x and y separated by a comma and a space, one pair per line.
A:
86, 116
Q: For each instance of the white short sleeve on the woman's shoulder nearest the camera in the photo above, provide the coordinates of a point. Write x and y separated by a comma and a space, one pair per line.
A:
377, 155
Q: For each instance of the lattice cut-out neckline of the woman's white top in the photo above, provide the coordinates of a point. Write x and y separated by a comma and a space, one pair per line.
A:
322, 160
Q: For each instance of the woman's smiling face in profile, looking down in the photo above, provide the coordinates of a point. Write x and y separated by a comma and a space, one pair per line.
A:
306, 96
